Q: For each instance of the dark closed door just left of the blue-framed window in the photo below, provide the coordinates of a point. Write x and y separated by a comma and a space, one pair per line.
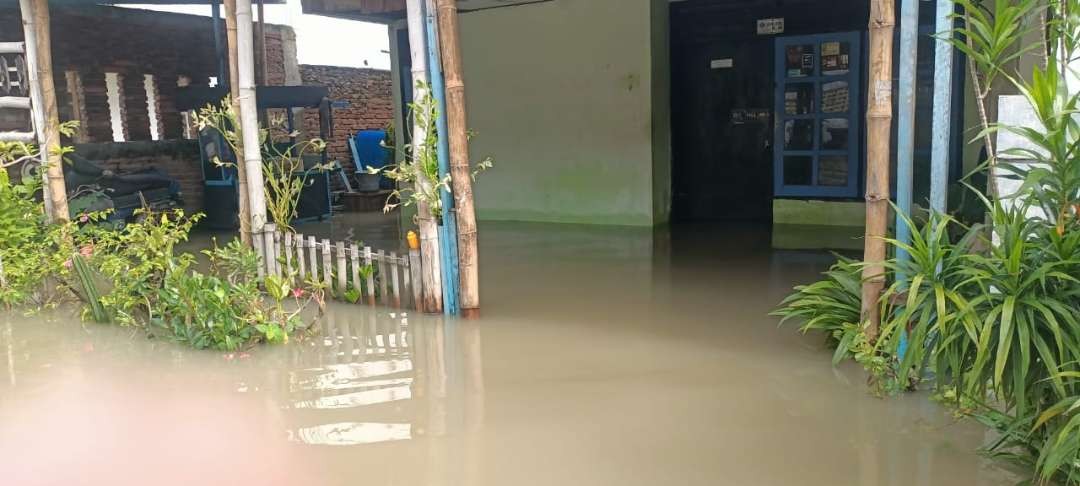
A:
722, 120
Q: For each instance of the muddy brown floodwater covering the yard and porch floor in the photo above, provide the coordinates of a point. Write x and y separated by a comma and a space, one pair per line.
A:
604, 357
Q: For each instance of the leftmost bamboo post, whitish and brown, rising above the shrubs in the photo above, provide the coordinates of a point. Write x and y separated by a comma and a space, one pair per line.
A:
47, 126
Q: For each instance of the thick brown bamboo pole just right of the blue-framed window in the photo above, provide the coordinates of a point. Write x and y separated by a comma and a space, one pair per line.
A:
879, 126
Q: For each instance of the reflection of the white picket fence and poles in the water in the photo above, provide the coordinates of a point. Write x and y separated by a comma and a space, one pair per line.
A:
404, 376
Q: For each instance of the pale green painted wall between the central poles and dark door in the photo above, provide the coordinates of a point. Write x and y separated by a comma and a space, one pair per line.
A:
562, 96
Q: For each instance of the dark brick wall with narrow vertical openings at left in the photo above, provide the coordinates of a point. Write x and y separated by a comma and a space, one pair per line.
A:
96, 40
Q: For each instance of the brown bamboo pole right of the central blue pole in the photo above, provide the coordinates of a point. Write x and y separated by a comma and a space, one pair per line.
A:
461, 177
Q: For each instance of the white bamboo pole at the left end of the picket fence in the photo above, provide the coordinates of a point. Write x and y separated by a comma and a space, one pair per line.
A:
249, 117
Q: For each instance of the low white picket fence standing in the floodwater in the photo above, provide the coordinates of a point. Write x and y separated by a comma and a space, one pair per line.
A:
347, 272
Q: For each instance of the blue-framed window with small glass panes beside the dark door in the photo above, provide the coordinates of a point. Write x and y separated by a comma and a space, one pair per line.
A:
817, 141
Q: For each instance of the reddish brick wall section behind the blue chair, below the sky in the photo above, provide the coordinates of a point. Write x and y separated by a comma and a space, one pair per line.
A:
369, 94
